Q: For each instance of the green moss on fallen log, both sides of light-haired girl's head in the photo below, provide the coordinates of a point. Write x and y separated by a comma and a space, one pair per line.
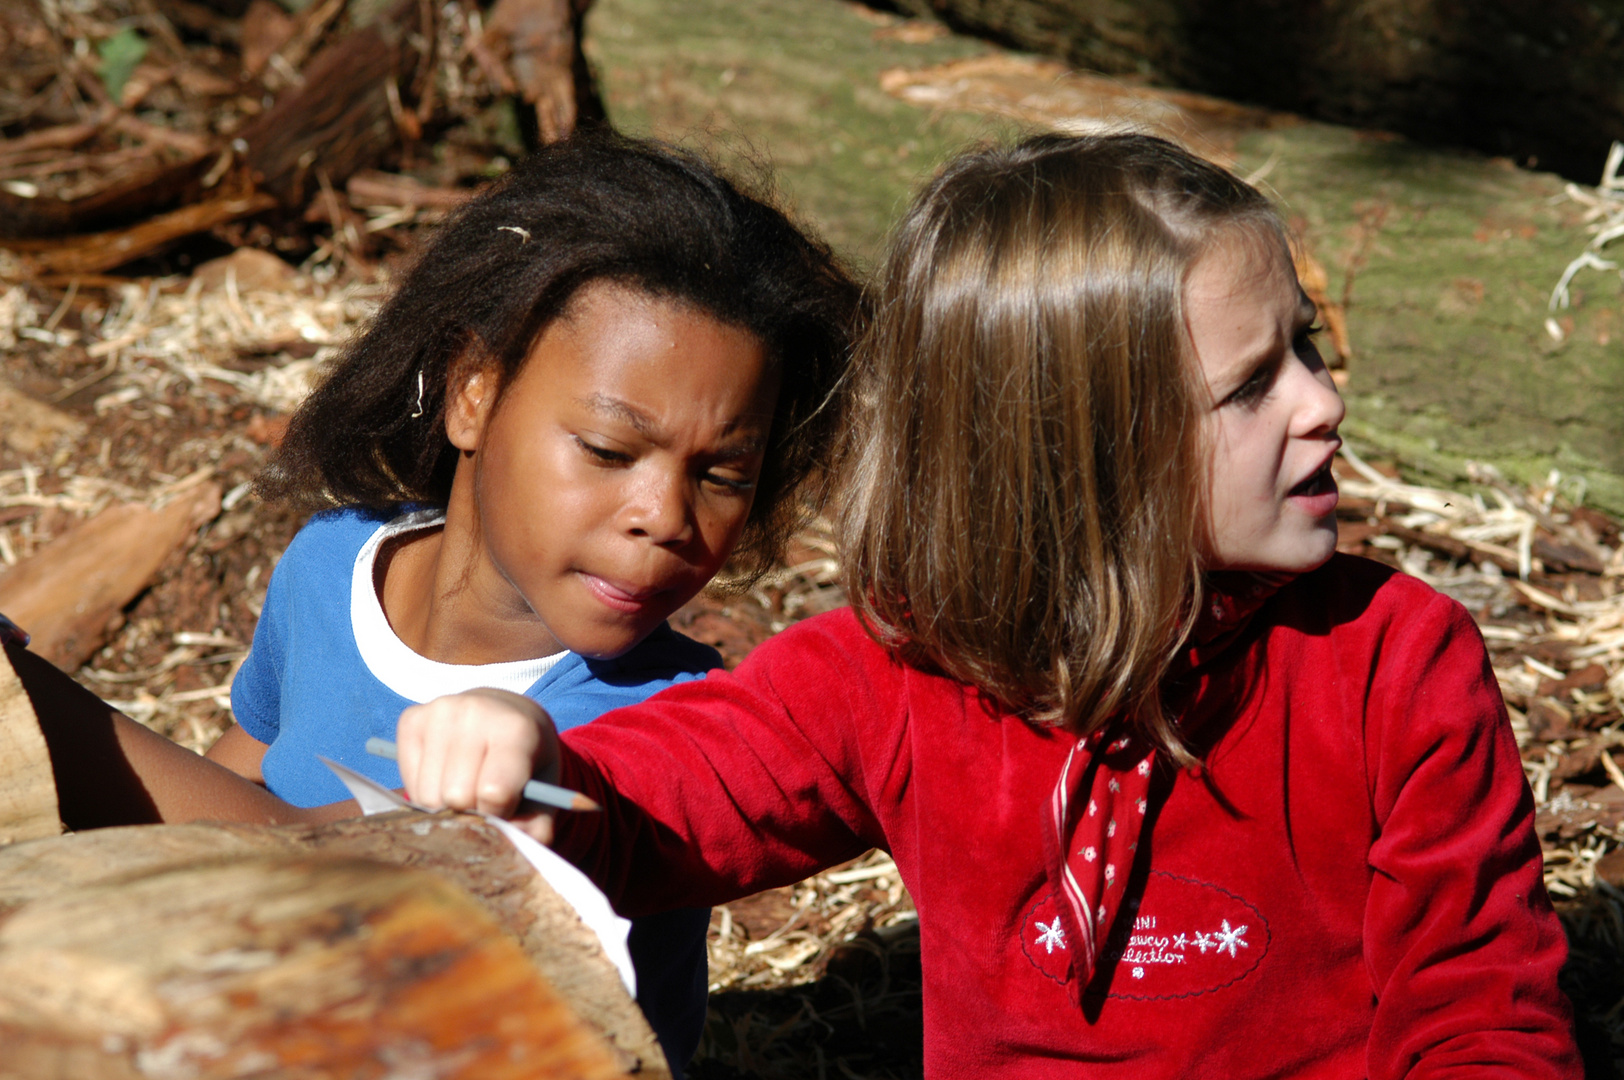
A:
1453, 256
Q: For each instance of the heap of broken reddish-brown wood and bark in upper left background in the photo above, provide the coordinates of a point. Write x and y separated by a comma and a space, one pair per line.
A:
132, 126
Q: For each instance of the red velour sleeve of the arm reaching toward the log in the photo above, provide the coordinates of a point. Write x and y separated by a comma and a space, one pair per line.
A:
741, 782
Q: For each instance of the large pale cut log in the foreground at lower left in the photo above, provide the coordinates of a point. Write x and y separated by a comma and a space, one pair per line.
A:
402, 944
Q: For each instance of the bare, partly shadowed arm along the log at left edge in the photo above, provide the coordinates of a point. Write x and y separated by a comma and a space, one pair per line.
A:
111, 771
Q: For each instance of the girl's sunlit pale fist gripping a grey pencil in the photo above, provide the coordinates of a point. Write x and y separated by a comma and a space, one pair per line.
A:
475, 751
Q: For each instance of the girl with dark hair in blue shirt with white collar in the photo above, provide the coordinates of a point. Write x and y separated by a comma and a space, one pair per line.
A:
603, 384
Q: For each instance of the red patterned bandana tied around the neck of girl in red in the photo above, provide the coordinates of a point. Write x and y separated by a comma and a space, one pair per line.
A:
1099, 806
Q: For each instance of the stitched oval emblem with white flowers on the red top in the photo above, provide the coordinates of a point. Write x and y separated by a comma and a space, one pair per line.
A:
1180, 940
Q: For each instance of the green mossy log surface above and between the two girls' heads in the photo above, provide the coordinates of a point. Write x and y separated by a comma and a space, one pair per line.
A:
787, 85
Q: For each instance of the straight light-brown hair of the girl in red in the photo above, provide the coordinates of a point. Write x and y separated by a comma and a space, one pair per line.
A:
1026, 462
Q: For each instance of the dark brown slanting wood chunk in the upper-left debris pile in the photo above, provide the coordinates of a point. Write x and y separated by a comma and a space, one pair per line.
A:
340, 119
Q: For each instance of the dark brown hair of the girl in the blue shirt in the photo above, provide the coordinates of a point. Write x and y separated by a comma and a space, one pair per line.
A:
597, 207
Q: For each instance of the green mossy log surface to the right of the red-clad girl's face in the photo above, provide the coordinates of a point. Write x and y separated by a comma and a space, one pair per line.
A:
1454, 262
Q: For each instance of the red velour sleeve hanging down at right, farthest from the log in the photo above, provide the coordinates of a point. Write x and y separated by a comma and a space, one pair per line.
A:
1461, 940
